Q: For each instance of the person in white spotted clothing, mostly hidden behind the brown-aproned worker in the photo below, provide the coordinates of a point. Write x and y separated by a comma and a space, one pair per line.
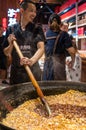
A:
72, 73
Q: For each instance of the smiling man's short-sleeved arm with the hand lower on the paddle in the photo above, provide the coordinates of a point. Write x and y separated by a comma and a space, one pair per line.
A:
39, 40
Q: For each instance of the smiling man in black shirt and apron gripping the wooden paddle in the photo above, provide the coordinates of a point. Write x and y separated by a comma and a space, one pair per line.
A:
30, 38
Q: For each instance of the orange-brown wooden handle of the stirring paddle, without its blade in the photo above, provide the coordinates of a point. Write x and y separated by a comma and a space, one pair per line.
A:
29, 71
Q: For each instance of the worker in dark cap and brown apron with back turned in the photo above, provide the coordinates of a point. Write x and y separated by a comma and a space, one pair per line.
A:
64, 45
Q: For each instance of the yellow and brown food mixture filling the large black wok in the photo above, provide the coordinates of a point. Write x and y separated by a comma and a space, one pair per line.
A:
68, 113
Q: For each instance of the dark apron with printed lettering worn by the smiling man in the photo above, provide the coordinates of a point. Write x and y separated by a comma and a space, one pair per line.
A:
28, 49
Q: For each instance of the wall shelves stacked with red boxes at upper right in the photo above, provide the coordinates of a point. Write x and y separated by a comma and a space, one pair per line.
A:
69, 15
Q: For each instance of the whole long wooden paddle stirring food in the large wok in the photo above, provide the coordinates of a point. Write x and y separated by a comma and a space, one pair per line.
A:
35, 83
